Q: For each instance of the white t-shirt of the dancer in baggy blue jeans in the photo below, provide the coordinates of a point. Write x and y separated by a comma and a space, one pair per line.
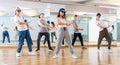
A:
20, 27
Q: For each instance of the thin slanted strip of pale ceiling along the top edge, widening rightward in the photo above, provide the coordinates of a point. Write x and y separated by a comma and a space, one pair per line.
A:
100, 3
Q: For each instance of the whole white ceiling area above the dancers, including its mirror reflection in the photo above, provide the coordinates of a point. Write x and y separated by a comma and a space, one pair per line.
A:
92, 6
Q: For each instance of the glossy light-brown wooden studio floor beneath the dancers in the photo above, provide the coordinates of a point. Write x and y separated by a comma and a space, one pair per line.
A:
89, 56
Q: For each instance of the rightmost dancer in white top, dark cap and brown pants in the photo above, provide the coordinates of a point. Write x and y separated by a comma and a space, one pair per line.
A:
103, 31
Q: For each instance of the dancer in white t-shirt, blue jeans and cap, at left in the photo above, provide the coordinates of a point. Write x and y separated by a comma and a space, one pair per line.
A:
23, 32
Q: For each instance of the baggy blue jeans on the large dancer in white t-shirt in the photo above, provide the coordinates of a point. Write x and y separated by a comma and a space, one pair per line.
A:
24, 35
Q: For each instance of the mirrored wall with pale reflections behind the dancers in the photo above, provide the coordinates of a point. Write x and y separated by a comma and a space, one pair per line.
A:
83, 22
